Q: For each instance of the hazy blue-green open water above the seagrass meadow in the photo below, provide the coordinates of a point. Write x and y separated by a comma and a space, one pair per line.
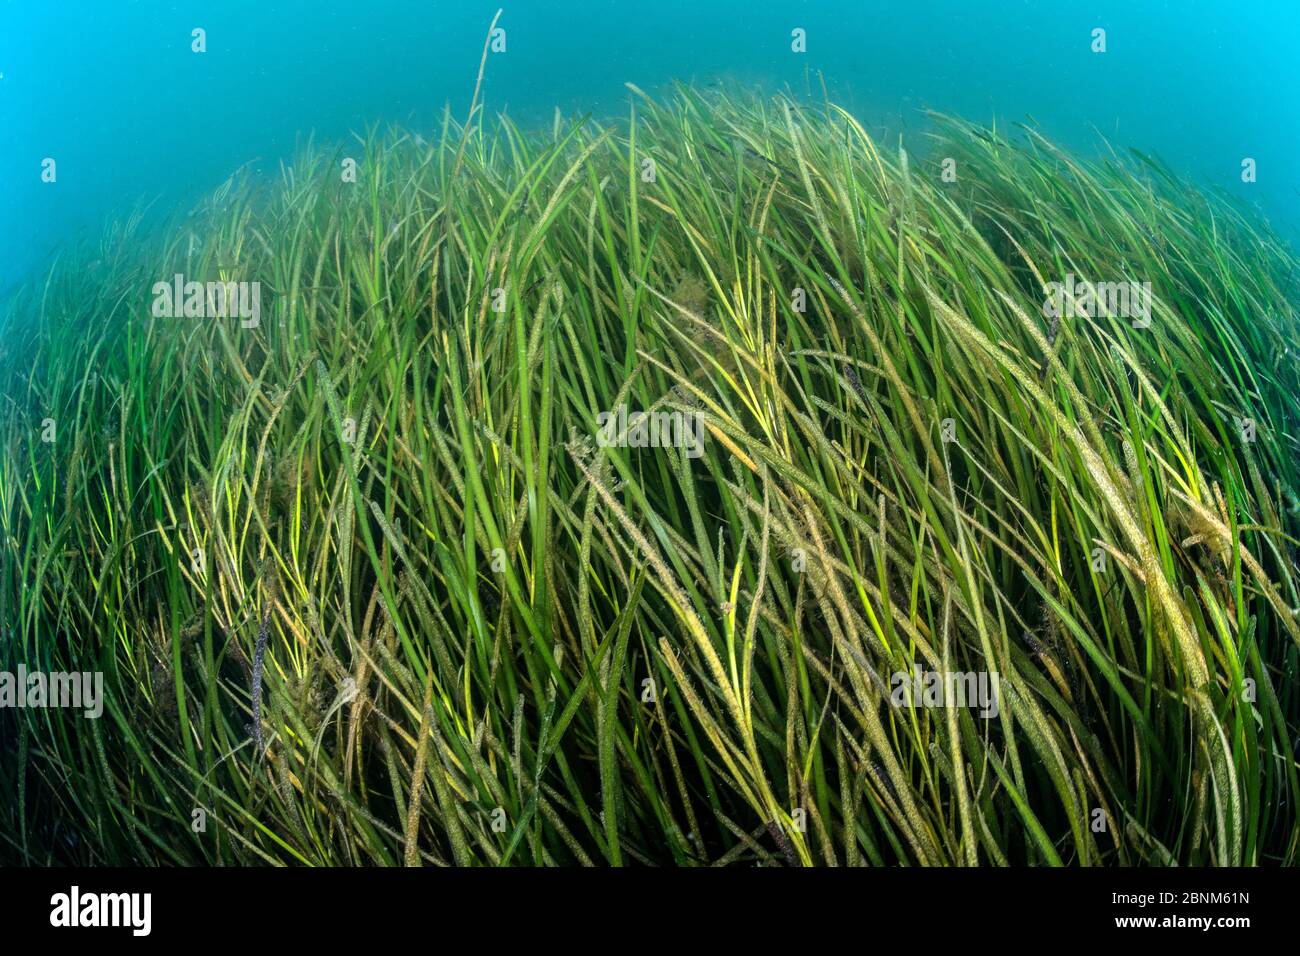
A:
114, 93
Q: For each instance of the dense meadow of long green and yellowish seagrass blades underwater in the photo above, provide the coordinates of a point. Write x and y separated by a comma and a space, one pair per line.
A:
367, 590
